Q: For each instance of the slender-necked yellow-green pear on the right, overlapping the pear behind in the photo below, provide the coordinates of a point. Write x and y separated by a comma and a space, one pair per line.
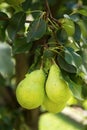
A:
56, 87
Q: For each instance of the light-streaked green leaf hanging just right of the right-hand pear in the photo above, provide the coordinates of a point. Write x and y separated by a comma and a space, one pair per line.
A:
75, 88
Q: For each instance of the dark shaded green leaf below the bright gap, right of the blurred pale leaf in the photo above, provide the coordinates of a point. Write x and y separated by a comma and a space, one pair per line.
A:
20, 45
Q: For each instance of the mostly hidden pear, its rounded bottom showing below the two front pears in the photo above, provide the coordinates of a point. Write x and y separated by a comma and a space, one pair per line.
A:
52, 107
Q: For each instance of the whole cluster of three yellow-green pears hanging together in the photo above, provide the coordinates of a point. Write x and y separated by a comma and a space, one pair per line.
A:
35, 90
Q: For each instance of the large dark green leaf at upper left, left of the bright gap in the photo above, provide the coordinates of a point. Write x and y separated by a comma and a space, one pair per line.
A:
16, 24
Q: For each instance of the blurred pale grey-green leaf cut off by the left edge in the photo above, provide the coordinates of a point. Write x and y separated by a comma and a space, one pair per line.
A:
6, 63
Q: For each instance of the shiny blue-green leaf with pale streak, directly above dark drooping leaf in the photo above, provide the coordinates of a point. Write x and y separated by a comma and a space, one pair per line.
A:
73, 58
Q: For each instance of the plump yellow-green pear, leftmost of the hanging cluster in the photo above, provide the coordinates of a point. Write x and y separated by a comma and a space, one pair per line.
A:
30, 91
